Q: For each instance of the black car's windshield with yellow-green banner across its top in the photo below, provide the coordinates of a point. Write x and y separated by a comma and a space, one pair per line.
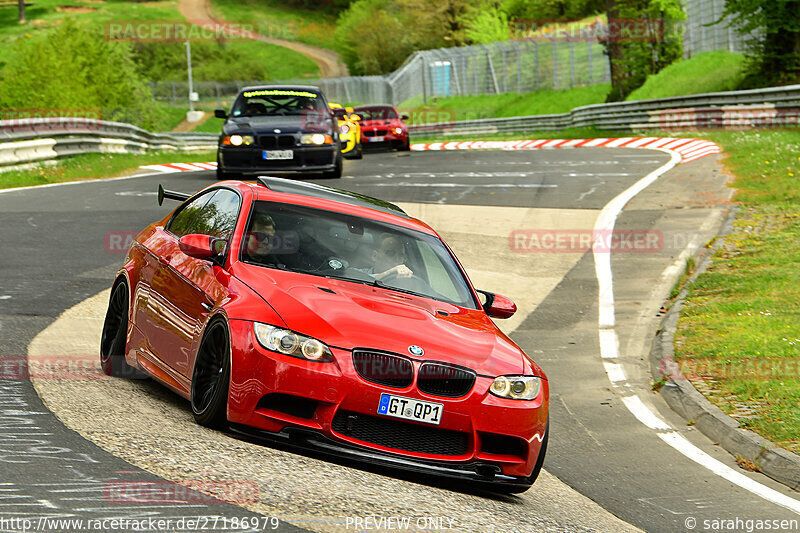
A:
278, 102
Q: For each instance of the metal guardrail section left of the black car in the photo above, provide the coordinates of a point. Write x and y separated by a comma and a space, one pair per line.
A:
40, 139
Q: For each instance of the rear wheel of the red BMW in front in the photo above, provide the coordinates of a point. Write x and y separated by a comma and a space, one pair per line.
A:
114, 339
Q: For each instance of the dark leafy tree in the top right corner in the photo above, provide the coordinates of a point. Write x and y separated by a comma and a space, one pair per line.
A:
774, 45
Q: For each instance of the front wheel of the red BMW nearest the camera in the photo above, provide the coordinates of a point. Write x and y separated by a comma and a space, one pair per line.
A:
211, 377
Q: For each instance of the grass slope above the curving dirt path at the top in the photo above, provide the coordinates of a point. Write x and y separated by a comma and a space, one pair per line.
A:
275, 19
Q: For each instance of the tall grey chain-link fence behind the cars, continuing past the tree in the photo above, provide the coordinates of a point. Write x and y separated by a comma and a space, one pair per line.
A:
501, 67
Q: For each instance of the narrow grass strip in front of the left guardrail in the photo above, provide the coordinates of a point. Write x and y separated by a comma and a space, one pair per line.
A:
91, 166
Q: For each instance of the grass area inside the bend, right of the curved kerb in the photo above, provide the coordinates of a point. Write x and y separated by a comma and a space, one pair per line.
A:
742, 313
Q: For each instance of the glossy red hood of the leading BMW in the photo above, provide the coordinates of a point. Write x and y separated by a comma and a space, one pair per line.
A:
361, 316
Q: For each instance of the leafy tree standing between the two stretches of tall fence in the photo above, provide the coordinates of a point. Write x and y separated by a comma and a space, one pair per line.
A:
642, 38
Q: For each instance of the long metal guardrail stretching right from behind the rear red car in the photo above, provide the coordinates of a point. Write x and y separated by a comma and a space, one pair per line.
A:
775, 106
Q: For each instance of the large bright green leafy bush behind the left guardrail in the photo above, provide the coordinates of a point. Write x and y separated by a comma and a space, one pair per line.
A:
74, 68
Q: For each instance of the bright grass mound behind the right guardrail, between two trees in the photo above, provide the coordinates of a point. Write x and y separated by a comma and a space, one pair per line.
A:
707, 72
